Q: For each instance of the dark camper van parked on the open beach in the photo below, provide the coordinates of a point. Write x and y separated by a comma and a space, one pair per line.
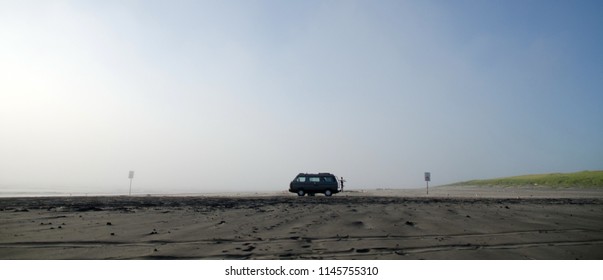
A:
306, 183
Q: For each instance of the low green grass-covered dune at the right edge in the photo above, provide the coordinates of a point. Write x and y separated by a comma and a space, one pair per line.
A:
577, 179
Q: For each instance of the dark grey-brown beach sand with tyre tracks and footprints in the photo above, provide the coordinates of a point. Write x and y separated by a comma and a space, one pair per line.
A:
450, 223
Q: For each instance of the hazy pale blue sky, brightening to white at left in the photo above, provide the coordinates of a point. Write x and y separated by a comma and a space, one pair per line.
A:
240, 96
